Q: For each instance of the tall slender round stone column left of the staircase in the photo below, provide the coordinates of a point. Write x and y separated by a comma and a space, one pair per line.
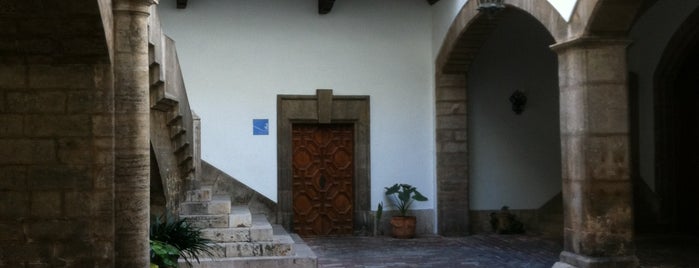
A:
132, 132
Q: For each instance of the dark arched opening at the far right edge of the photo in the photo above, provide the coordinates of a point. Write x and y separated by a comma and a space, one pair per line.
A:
677, 129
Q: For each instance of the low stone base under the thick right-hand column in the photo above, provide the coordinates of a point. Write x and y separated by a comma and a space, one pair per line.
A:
572, 260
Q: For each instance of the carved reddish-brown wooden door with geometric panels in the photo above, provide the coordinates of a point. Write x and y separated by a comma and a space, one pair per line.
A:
323, 173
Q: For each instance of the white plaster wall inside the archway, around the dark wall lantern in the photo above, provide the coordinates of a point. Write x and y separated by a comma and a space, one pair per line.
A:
514, 160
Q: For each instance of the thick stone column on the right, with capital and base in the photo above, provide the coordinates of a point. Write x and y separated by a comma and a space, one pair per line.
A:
597, 192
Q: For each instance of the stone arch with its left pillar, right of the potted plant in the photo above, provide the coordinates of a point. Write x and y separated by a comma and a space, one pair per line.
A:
462, 44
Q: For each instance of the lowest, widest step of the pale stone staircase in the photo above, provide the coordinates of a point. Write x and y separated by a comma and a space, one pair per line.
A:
302, 257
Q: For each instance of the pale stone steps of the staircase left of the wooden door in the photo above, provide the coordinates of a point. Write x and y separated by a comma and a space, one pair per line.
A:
243, 239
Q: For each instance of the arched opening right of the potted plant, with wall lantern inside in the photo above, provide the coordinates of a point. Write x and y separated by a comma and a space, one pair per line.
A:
489, 154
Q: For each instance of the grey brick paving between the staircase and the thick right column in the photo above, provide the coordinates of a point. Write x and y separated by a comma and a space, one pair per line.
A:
435, 251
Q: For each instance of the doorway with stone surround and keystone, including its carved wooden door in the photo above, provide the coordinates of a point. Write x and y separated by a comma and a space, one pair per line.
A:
323, 114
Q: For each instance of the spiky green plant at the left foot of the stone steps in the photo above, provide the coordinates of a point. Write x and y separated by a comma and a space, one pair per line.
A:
167, 234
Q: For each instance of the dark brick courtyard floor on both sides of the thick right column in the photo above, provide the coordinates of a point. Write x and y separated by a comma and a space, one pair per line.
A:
482, 251
